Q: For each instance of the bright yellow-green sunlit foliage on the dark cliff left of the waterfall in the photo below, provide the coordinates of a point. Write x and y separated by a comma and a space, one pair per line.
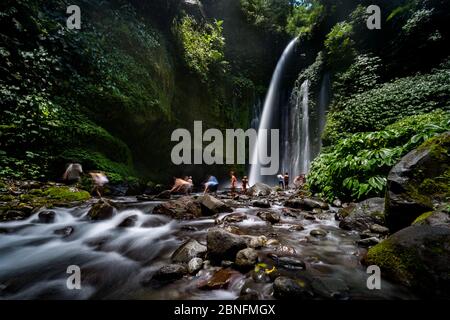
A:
203, 46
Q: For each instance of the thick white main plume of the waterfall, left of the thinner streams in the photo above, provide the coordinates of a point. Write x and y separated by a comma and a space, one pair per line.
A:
269, 114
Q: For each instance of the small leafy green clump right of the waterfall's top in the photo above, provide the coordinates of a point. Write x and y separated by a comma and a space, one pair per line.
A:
339, 43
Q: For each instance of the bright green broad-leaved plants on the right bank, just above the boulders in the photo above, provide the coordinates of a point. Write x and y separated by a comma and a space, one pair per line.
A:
356, 167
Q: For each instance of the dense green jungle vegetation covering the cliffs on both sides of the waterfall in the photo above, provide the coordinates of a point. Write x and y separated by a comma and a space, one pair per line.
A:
109, 95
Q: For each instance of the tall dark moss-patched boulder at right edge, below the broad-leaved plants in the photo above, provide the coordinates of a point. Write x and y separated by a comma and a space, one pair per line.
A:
415, 182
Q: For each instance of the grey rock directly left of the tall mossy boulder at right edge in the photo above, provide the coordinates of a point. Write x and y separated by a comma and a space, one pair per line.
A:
360, 216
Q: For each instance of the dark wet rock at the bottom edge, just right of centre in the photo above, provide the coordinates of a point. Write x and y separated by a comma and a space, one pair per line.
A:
287, 288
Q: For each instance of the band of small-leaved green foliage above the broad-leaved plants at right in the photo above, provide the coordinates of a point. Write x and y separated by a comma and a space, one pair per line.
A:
387, 103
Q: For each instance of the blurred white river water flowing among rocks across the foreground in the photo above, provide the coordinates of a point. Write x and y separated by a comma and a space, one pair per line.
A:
114, 260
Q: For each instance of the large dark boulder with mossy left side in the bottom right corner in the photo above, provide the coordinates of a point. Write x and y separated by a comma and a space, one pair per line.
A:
417, 257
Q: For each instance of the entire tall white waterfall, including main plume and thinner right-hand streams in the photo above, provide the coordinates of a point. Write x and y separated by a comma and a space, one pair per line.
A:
301, 122
